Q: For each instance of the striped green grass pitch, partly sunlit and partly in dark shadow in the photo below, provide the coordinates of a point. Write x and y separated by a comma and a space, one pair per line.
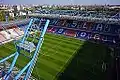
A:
65, 58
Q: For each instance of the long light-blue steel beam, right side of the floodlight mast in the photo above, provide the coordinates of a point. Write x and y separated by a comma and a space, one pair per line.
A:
36, 51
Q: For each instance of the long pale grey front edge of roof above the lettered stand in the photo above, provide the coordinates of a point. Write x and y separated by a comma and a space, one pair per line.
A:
100, 20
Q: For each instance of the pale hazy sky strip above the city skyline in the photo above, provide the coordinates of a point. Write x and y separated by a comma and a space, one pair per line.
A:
81, 2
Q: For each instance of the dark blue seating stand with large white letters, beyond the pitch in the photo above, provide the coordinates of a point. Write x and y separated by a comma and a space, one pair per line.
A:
87, 30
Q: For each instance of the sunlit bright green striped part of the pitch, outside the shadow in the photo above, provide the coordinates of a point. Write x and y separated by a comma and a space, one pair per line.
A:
48, 66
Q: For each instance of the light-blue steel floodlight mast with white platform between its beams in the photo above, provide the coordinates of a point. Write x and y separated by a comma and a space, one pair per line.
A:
20, 45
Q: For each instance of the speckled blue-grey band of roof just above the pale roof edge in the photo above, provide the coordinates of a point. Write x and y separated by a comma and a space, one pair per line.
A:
74, 13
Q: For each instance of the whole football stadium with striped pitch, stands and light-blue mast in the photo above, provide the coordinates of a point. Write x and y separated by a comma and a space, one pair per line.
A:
61, 45
